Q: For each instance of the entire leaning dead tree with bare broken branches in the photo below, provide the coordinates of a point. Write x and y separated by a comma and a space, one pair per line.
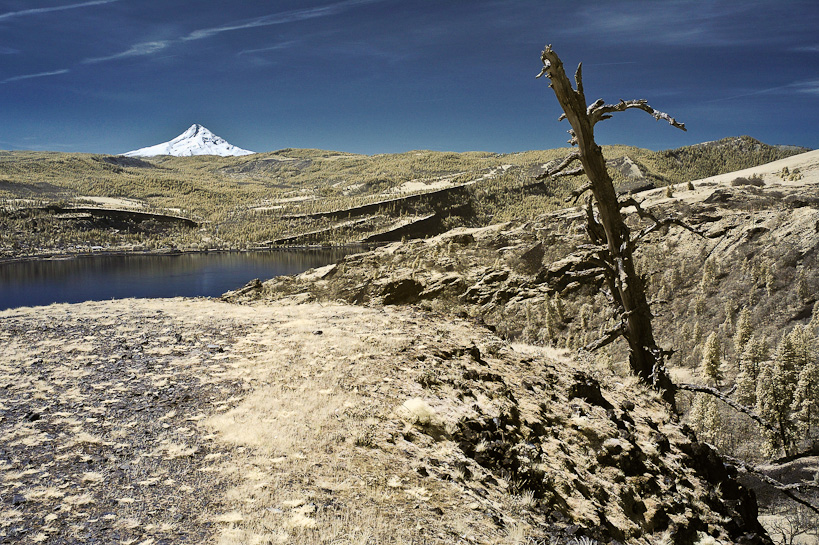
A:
613, 244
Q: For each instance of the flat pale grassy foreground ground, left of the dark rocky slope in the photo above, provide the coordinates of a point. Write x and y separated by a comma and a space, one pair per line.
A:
193, 421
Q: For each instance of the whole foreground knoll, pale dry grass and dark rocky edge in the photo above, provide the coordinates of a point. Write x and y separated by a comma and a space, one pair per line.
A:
194, 421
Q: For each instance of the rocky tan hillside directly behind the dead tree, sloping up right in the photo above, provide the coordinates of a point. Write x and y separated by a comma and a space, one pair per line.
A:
756, 250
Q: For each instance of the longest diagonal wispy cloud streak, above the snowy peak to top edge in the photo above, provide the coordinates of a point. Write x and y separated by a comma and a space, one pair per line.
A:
150, 48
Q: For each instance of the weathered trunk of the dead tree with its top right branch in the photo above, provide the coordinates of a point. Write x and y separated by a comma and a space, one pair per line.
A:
645, 358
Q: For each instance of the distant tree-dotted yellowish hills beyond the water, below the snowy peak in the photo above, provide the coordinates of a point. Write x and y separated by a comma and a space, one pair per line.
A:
298, 196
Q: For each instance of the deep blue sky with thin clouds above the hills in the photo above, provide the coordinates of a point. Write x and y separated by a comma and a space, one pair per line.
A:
377, 76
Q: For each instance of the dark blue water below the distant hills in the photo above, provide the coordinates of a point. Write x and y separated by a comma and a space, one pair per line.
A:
97, 278
